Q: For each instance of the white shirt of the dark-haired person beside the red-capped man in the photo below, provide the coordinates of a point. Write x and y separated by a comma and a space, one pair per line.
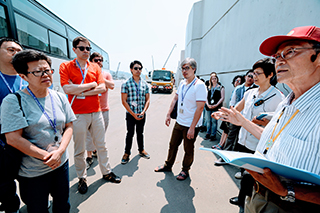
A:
249, 111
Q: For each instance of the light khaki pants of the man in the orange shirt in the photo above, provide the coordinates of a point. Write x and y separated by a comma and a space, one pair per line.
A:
95, 124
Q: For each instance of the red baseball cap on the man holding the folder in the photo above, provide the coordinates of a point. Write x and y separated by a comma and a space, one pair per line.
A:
270, 45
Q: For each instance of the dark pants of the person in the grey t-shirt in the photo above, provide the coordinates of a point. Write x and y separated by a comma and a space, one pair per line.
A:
34, 191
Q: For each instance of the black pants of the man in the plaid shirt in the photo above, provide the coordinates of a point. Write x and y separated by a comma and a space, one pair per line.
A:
131, 124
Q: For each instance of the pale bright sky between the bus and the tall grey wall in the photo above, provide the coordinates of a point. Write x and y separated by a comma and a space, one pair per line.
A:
130, 29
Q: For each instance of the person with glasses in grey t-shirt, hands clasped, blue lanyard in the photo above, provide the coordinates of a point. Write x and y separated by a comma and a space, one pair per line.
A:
41, 129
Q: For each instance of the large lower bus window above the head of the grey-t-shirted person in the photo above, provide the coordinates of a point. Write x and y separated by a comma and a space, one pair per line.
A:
32, 34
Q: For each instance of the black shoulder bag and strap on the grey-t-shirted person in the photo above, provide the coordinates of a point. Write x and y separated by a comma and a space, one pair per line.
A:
10, 157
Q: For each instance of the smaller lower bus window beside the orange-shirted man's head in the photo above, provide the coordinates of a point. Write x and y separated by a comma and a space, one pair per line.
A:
58, 45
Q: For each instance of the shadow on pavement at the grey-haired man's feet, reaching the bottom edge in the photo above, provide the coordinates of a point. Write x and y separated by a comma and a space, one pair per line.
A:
179, 194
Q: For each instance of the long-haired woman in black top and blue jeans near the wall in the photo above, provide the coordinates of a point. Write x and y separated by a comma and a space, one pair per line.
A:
214, 102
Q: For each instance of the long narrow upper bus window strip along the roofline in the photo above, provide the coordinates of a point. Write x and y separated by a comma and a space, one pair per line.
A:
39, 15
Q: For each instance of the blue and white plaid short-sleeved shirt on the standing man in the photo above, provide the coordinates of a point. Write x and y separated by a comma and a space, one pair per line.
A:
136, 94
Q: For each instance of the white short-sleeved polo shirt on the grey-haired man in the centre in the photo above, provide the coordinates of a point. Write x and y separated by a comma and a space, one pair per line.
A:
188, 95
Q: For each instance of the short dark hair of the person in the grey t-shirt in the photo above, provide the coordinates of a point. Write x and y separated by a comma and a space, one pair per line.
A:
21, 59
